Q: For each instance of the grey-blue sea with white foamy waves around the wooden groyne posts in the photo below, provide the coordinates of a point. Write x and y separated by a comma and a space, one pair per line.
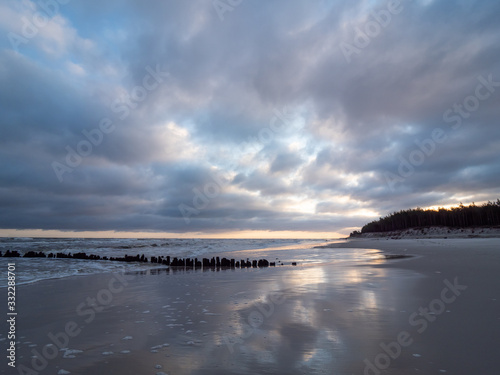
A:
281, 251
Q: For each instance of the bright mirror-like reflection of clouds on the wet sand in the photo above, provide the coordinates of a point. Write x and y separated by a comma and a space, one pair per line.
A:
330, 318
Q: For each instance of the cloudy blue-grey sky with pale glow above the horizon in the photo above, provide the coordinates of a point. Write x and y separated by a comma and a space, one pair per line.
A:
243, 118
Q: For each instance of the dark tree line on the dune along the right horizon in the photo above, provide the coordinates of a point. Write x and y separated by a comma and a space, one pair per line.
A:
488, 214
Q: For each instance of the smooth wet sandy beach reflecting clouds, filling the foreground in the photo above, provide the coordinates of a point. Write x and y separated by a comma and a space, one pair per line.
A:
435, 312
